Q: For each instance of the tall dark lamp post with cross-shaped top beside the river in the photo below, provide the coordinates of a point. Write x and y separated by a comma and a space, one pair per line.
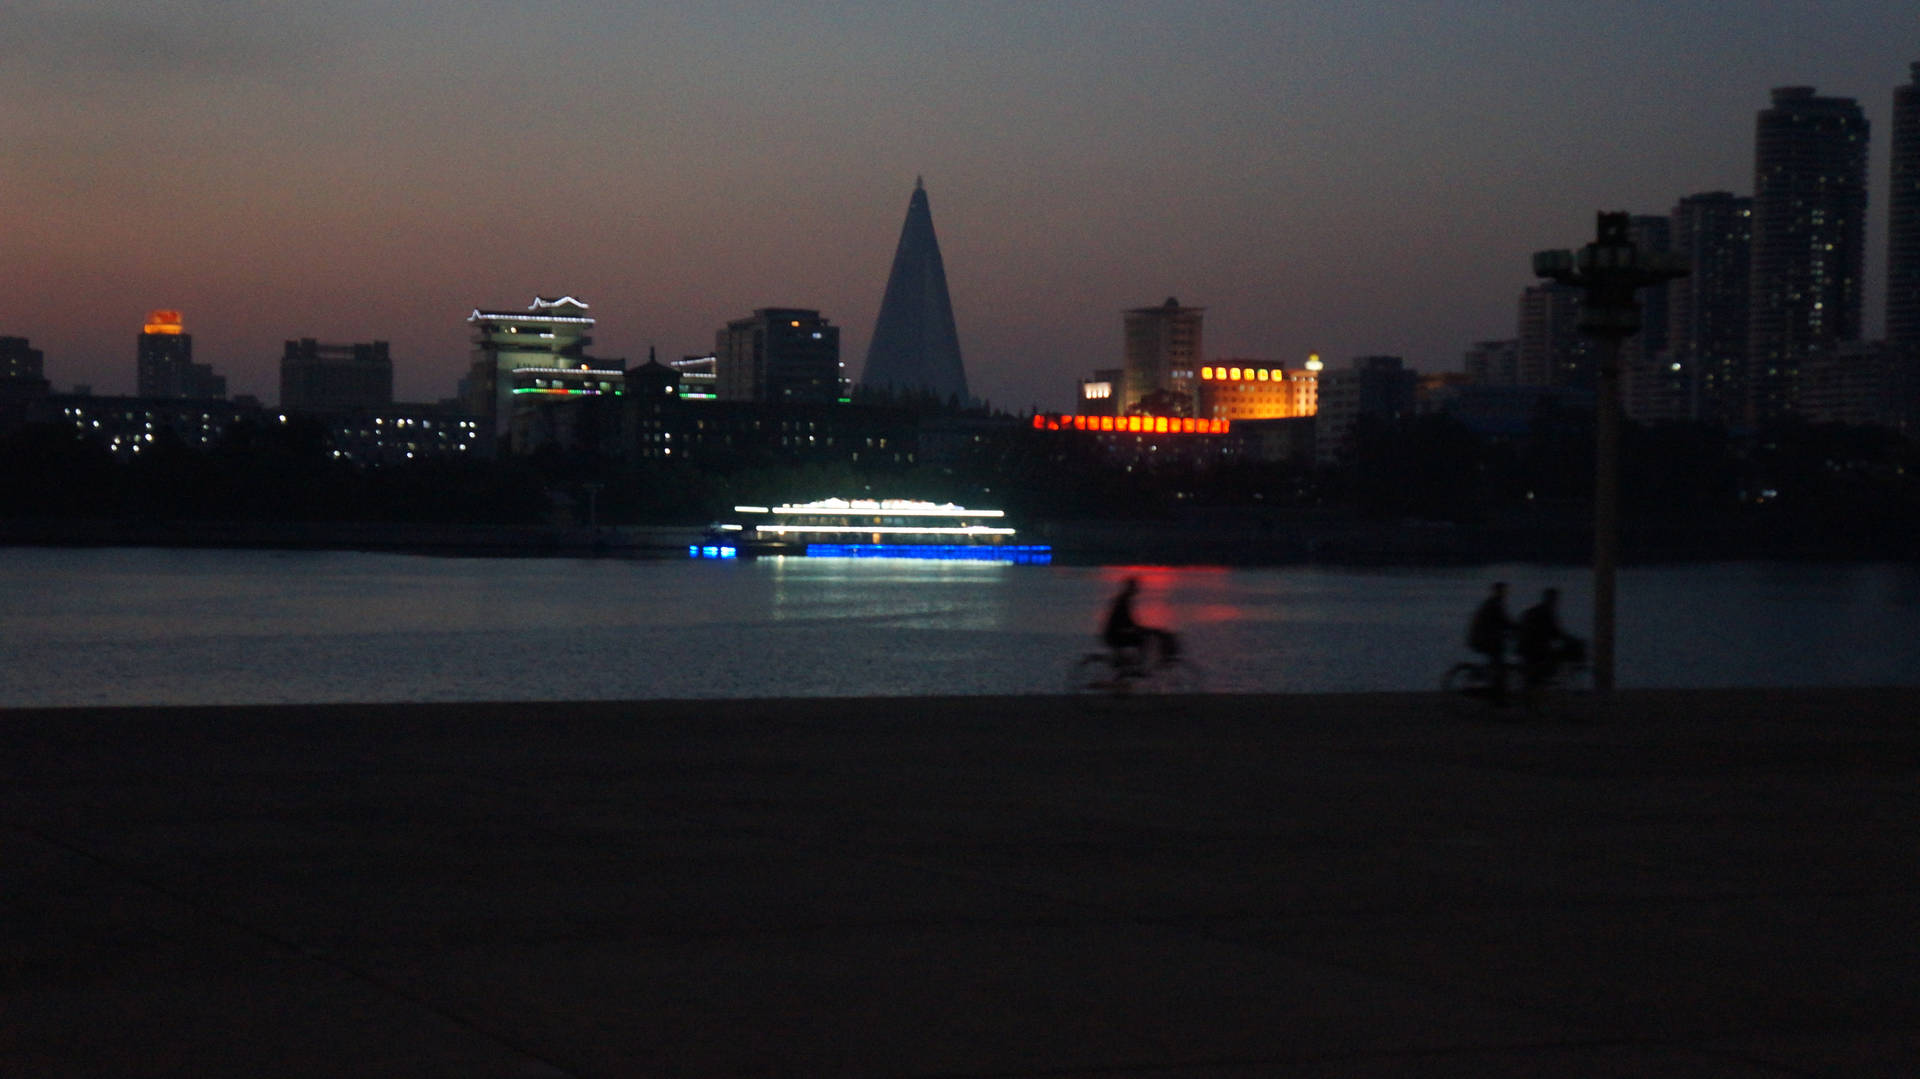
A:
1612, 270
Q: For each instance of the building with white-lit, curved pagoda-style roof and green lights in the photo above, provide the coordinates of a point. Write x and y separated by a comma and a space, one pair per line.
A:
552, 335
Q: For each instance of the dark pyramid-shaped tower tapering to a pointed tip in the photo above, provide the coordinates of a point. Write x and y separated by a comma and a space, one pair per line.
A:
915, 347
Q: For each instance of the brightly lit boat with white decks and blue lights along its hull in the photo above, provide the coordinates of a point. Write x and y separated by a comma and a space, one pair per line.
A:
869, 529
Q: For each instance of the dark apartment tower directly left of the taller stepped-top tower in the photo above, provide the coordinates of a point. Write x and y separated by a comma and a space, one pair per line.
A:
1708, 310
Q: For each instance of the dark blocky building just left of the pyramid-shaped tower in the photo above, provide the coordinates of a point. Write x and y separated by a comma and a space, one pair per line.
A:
780, 356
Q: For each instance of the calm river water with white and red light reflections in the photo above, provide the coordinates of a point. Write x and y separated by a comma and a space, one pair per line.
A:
249, 627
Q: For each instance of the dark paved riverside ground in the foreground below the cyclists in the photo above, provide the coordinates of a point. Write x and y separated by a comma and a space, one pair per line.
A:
1694, 884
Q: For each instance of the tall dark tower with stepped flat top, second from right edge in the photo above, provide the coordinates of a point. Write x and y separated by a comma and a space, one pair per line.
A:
1810, 241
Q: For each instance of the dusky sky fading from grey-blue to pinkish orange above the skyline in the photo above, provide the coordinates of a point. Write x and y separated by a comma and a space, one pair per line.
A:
1349, 180
